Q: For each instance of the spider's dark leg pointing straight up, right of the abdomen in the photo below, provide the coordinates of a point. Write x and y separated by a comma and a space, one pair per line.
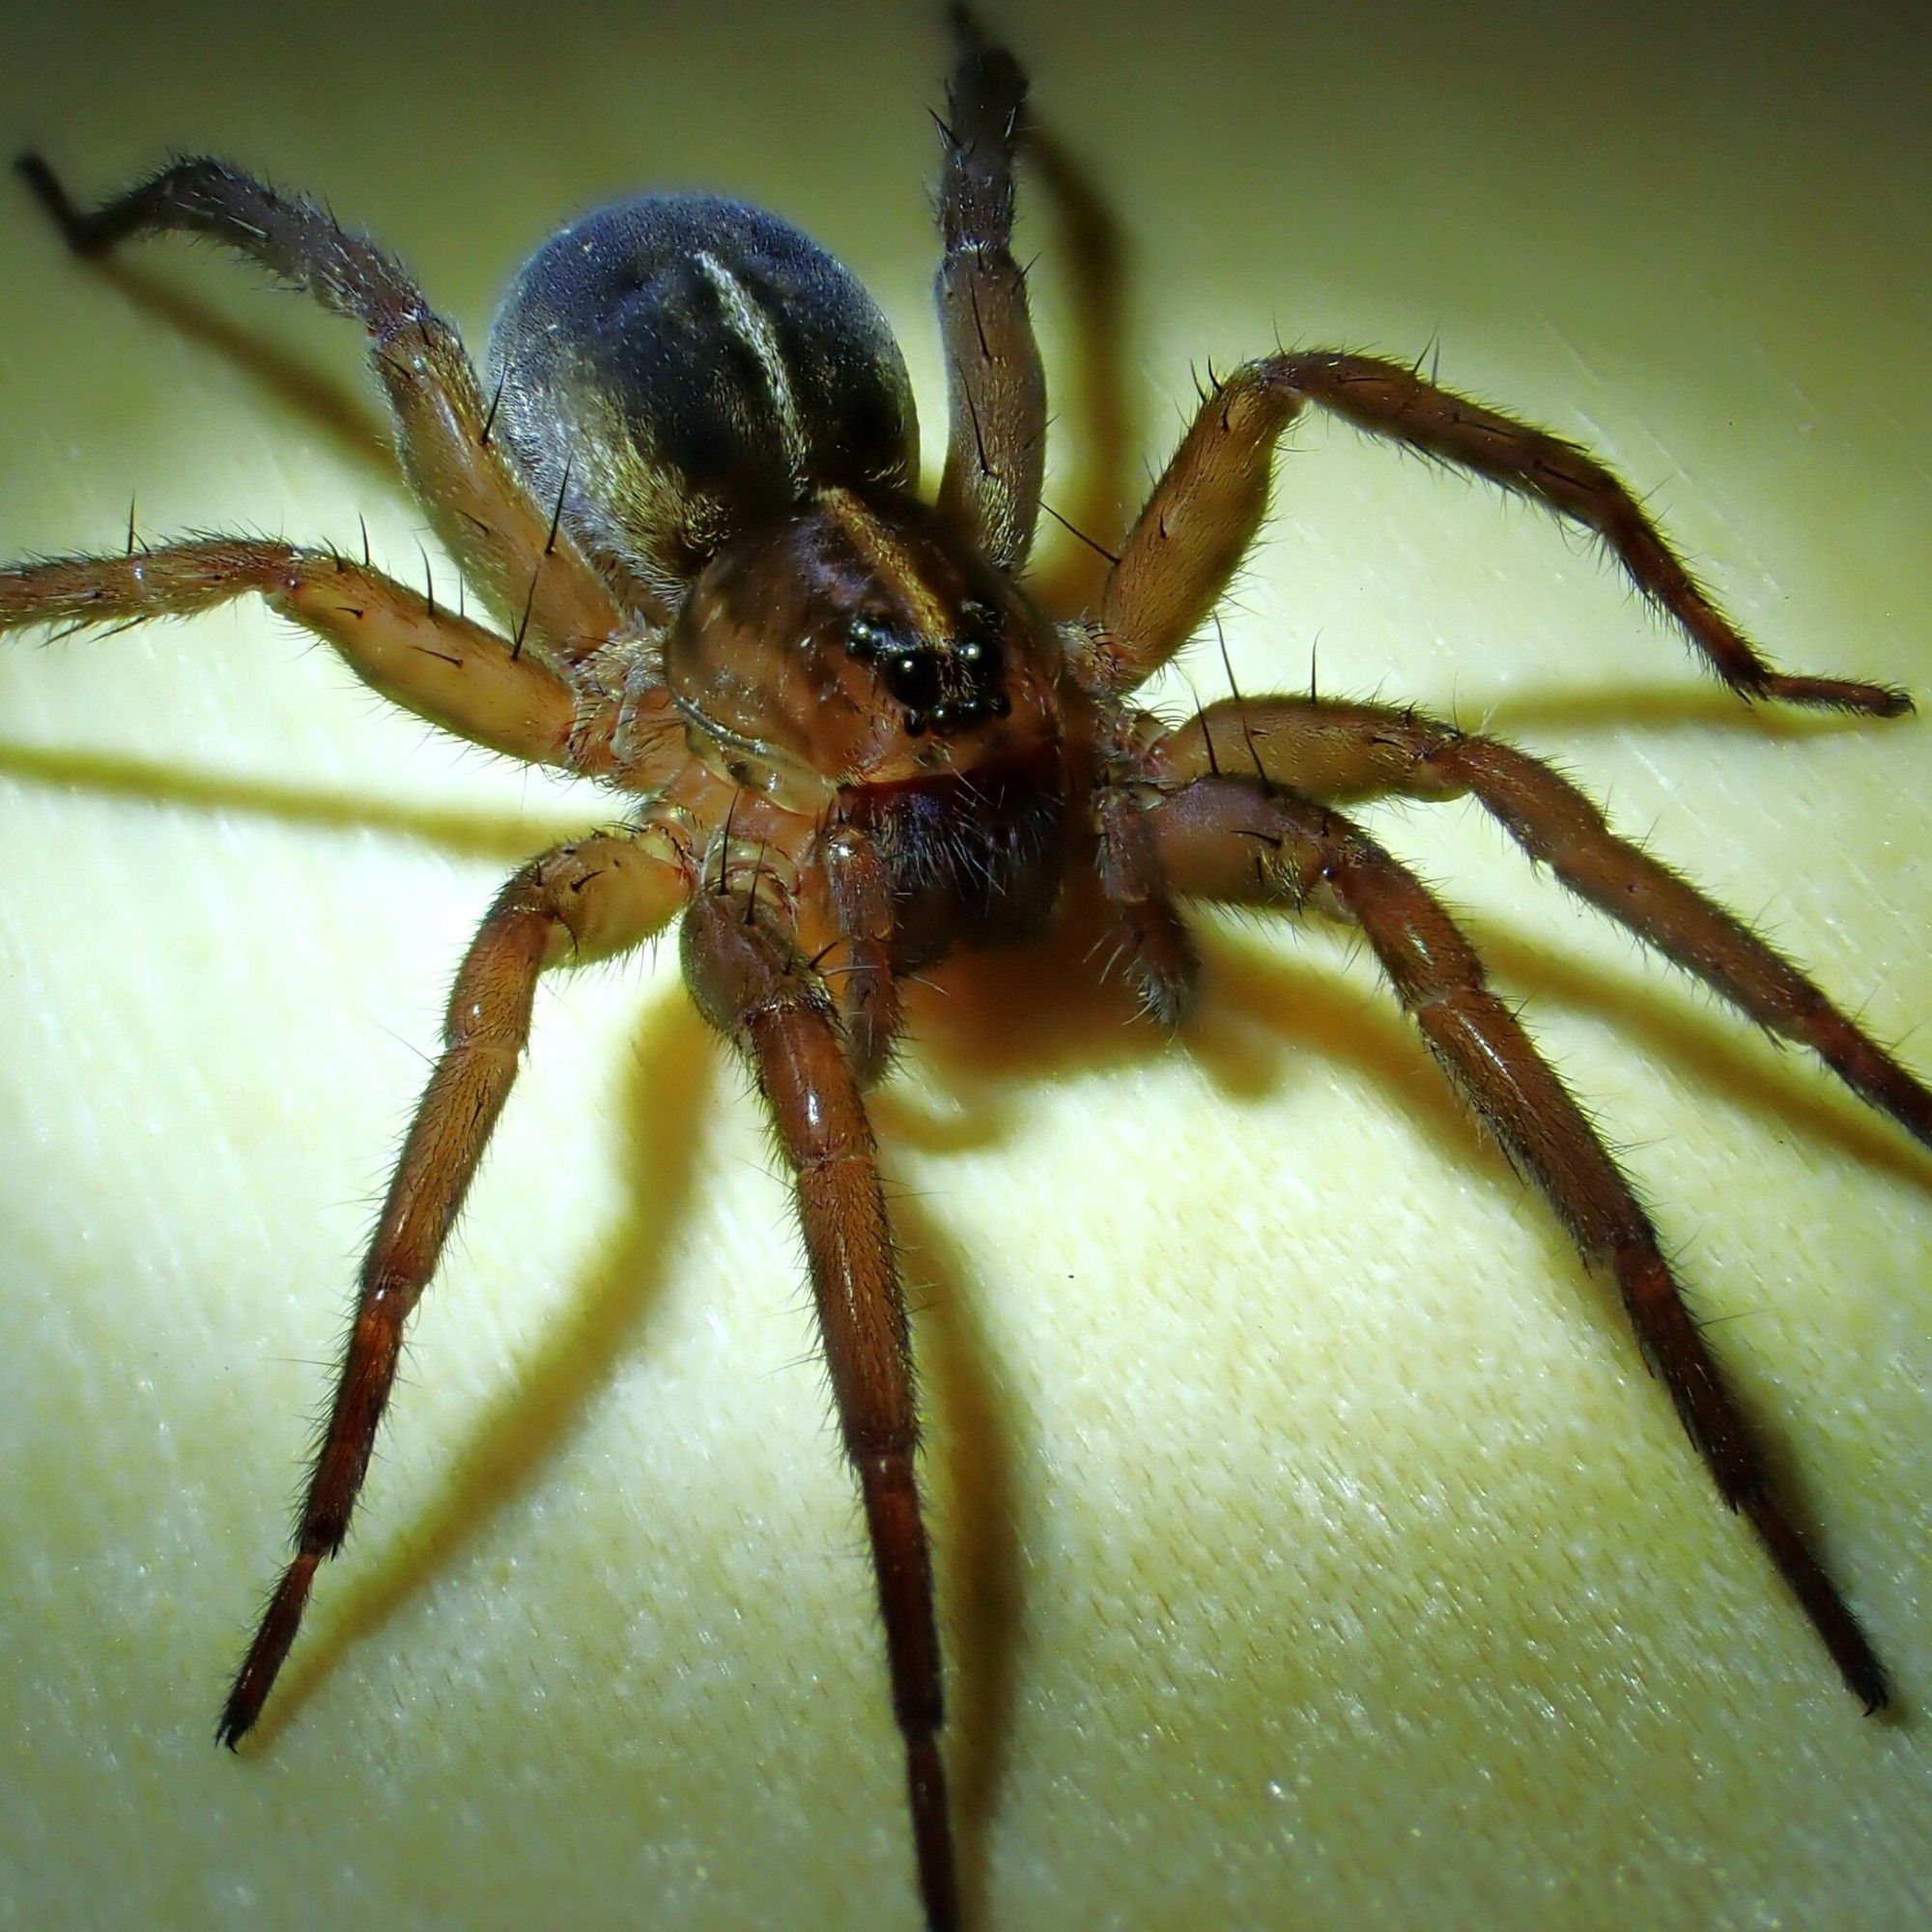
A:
996, 389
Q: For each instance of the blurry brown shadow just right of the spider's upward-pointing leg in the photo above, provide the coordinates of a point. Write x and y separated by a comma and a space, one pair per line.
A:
1098, 397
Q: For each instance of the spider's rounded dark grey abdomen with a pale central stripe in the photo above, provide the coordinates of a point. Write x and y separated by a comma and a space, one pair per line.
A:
675, 368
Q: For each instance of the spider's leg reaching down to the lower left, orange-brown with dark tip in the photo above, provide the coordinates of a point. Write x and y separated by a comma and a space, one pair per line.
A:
581, 901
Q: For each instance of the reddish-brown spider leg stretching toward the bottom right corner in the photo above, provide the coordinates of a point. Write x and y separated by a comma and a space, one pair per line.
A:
1237, 841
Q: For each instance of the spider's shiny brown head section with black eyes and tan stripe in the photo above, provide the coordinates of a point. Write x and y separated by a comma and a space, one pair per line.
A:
859, 644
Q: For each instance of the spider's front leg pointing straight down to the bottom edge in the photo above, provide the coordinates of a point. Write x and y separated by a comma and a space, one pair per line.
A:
758, 992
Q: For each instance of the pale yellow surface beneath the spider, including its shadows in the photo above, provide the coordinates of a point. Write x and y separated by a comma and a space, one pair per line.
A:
1315, 1548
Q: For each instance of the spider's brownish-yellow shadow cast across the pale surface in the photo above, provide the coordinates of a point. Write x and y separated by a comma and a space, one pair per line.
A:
1002, 1023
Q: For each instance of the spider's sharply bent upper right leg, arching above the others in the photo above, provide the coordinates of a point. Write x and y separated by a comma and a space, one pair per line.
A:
1208, 503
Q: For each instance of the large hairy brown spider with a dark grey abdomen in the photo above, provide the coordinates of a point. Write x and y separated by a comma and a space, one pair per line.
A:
857, 737
